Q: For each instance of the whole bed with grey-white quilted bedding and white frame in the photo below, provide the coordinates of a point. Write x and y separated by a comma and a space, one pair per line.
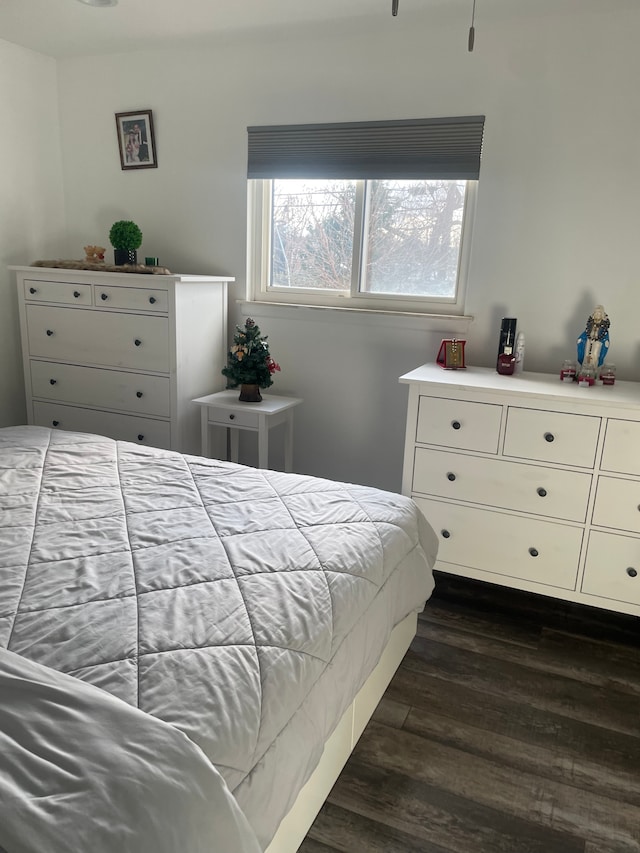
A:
189, 648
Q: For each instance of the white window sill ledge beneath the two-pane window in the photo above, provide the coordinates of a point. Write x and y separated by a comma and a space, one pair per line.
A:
454, 324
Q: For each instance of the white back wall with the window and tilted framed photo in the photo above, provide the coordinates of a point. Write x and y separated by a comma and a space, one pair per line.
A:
556, 219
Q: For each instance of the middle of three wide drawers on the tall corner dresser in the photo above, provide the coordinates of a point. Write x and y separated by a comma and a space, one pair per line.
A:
99, 388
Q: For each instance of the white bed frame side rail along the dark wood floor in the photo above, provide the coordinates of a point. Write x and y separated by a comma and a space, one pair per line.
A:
296, 823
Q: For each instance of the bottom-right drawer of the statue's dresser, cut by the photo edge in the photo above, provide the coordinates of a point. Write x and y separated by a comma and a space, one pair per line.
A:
612, 569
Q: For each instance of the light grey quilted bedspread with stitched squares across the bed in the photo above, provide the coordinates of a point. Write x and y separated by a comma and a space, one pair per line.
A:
209, 595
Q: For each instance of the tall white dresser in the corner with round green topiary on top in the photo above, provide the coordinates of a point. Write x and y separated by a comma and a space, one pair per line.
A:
122, 354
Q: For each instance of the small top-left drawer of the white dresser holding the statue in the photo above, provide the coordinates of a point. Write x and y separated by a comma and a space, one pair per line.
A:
459, 424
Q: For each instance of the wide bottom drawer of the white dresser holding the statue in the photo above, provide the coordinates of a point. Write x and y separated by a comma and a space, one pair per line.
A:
523, 548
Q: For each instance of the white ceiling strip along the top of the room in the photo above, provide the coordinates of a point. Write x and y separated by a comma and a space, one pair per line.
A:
67, 28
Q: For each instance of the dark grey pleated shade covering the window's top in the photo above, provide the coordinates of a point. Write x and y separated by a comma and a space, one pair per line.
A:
447, 148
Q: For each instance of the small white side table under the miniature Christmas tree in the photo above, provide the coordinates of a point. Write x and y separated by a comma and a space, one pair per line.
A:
223, 409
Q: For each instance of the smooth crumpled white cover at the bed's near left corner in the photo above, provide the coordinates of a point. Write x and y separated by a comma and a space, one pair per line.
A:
83, 772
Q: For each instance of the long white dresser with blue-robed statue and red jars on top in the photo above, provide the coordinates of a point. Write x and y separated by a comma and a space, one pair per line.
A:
530, 482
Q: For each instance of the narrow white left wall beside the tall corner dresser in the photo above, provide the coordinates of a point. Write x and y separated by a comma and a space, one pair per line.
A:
31, 201
